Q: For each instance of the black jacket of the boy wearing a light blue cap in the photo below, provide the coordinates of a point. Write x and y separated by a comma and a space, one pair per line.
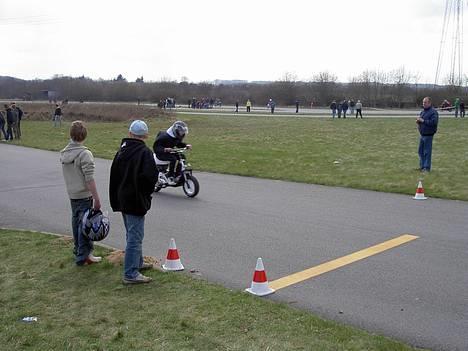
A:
133, 177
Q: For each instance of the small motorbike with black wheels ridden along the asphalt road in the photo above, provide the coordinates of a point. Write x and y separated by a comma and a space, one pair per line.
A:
183, 178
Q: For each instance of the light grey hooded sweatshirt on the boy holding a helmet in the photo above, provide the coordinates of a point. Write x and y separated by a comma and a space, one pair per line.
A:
78, 169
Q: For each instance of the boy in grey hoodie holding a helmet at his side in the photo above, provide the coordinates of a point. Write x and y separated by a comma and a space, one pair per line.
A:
78, 172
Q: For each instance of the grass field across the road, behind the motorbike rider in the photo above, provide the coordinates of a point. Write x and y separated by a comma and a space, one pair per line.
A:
377, 154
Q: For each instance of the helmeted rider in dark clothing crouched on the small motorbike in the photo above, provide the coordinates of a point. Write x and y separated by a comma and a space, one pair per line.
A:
166, 141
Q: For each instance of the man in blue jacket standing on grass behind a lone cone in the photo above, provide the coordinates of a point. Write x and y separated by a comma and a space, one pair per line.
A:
427, 125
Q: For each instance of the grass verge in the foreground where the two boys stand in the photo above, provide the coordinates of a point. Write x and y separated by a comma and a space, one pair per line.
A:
87, 308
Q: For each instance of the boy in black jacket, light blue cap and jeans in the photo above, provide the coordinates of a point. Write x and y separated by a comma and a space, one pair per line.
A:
133, 176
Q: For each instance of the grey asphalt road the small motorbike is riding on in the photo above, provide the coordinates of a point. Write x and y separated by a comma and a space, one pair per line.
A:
417, 292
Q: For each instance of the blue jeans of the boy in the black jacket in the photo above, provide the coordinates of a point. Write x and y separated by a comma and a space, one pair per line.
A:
135, 231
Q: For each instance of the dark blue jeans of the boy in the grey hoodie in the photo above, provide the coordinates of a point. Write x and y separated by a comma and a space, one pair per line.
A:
83, 246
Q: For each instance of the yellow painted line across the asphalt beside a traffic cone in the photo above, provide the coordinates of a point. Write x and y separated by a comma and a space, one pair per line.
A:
340, 262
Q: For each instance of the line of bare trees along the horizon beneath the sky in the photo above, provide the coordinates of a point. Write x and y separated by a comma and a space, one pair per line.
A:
394, 89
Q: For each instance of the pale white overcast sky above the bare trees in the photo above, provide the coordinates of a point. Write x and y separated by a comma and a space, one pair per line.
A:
205, 40
